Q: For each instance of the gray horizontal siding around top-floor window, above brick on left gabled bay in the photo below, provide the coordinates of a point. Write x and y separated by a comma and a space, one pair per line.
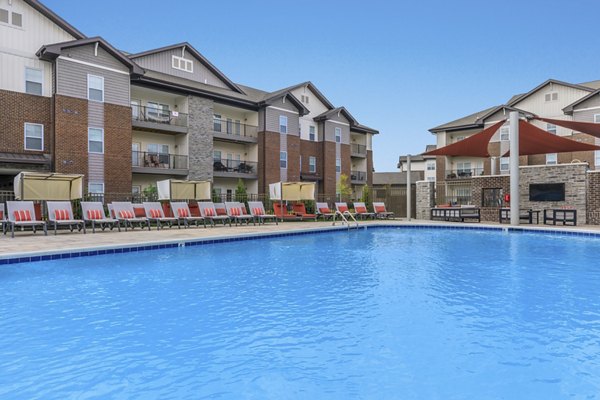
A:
72, 81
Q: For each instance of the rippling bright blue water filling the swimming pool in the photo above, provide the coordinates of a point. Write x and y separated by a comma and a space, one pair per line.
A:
385, 313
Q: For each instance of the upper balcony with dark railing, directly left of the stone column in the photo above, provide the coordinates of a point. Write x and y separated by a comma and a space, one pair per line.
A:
152, 118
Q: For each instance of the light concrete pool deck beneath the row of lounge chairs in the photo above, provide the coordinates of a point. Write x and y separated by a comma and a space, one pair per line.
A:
29, 244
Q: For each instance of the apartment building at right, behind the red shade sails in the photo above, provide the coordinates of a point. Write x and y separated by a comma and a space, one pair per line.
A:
551, 99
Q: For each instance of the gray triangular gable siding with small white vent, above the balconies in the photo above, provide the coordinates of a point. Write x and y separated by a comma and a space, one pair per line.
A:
163, 62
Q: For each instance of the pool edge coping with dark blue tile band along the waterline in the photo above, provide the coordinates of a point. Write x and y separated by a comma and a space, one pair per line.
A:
87, 251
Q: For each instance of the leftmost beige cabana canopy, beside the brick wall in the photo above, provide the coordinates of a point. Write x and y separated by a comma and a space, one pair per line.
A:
48, 186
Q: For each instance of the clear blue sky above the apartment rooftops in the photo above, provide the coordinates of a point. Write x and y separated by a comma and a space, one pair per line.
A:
400, 67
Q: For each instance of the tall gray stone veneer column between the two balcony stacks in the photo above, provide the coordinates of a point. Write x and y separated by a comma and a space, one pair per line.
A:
200, 138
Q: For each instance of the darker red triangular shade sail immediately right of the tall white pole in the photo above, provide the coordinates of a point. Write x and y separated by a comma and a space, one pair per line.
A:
533, 140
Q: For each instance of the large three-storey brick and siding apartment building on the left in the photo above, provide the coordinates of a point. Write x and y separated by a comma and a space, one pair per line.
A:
76, 104
